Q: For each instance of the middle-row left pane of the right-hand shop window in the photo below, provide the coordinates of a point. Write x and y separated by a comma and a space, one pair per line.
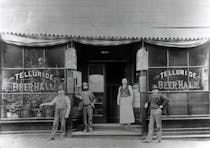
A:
157, 77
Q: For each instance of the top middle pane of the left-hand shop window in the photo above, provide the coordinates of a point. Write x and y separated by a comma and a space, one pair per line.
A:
34, 57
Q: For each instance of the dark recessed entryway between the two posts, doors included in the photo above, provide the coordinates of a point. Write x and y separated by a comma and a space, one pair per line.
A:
103, 67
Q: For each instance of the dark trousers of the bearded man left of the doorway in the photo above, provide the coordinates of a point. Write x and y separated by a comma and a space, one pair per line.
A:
87, 116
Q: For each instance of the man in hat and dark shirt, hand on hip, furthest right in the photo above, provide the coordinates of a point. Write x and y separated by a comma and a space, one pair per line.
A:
155, 103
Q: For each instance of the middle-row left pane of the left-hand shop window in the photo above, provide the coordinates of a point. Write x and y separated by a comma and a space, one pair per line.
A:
12, 81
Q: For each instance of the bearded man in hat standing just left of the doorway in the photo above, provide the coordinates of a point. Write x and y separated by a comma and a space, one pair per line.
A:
87, 104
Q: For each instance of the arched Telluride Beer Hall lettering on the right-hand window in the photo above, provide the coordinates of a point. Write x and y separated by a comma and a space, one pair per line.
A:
182, 79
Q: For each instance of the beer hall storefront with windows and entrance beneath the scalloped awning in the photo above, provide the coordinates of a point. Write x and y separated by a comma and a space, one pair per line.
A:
32, 75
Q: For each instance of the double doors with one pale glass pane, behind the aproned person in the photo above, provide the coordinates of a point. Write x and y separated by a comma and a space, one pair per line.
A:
104, 81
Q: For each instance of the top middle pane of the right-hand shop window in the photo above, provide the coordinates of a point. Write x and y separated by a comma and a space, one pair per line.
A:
177, 57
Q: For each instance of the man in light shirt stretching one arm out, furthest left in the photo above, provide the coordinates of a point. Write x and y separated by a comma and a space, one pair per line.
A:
62, 110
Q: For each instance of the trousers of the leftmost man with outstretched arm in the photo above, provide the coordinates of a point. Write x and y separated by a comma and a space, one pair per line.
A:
59, 116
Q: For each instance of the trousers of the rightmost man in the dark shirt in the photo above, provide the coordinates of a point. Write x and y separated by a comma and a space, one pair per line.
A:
155, 117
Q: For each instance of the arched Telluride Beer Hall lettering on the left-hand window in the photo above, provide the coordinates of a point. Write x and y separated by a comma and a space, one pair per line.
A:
31, 81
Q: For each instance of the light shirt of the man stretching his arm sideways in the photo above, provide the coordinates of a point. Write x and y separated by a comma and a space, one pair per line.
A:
61, 102
